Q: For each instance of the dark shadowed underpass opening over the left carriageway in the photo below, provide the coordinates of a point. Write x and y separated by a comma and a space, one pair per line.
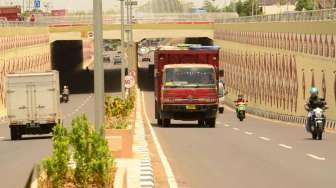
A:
67, 58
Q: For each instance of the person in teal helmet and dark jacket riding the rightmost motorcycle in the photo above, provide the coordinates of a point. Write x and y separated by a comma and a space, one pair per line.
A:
314, 102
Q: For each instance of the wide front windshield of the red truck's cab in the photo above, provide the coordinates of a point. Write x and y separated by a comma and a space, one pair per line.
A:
189, 77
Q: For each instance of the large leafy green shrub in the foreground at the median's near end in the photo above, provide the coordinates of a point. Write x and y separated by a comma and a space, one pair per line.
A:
93, 160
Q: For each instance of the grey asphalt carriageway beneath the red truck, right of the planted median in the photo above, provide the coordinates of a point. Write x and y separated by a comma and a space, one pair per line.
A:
253, 153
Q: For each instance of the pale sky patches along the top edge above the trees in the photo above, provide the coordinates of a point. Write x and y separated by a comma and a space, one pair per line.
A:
86, 5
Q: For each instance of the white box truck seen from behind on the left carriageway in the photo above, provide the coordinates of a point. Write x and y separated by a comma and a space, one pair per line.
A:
32, 102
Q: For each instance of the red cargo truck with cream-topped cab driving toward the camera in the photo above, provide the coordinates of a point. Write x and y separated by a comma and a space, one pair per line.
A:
186, 84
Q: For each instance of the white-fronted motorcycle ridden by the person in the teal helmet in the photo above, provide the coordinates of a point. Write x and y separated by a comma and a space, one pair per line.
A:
317, 123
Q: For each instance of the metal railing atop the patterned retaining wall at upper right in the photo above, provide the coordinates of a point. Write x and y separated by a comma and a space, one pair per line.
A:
314, 15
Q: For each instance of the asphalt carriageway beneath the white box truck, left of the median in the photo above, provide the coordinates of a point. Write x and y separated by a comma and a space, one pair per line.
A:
18, 157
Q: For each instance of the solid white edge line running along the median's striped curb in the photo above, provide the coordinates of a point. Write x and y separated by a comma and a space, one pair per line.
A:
169, 172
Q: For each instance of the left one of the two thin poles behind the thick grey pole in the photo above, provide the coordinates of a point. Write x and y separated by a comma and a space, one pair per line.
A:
122, 49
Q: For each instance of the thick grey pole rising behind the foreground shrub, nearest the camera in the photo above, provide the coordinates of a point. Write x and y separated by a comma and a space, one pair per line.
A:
98, 64
